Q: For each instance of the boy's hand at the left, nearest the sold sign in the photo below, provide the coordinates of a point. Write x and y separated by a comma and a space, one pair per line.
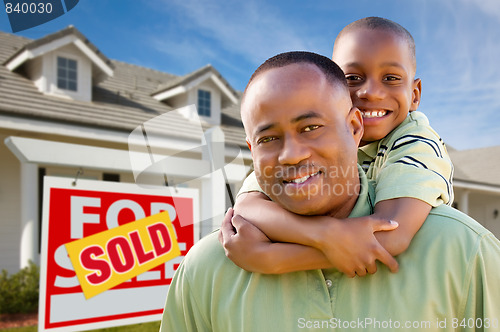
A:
245, 244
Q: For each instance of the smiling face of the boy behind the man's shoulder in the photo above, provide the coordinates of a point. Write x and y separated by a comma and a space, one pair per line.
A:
380, 73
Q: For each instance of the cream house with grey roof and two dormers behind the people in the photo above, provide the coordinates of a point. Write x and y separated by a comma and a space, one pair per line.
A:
67, 110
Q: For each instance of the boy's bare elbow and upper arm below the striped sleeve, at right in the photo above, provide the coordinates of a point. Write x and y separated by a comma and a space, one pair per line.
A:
410, 213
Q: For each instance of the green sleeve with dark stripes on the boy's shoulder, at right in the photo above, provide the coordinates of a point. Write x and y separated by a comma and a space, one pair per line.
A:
412, 161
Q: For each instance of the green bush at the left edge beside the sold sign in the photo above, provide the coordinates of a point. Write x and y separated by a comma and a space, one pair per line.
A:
19, 292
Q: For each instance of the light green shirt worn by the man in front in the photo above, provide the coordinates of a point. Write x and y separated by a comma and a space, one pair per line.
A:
449, 273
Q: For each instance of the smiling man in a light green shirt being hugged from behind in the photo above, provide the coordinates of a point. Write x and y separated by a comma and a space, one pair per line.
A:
300, 124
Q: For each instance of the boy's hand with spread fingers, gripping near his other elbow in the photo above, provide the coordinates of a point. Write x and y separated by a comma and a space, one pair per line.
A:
350, 245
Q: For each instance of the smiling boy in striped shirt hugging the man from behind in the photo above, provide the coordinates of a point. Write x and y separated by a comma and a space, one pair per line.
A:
399, 151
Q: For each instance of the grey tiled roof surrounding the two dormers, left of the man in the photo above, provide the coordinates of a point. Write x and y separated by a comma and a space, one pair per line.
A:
120, 102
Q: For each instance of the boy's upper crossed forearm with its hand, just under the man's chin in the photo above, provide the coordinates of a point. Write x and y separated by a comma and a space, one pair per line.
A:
350, 244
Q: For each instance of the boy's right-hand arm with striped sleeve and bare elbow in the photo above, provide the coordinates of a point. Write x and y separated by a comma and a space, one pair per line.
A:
412, 175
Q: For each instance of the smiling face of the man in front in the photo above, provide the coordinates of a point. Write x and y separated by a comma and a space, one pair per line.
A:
303, 136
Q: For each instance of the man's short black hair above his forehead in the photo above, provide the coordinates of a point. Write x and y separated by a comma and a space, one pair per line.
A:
328, 67
